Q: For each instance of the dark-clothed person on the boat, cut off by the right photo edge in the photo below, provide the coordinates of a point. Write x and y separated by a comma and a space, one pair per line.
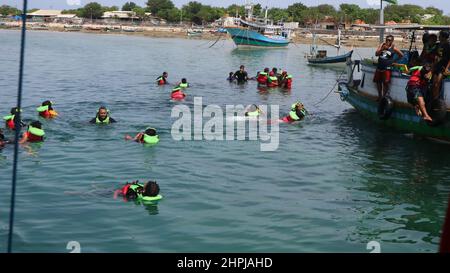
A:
442, 63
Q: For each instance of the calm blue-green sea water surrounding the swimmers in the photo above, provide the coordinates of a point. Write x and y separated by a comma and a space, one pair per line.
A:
335, 183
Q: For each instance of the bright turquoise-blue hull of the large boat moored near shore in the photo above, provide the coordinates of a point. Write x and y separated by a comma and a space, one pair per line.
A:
245, 37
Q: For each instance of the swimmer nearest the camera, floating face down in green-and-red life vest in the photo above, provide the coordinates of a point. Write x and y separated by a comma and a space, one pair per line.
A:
139, 192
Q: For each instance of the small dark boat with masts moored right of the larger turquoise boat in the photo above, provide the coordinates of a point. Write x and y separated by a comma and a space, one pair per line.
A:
320, 56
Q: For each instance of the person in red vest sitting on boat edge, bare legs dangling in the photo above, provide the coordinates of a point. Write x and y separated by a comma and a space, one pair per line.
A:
417, 87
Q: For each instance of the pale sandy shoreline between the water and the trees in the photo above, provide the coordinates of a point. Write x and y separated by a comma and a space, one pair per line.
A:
179, 32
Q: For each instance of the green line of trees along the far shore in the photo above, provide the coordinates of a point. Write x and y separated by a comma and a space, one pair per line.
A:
198, 13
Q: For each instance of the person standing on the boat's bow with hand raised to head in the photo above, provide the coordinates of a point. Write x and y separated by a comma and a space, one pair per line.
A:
385, 53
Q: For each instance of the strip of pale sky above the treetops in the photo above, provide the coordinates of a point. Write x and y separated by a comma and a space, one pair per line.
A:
68, 4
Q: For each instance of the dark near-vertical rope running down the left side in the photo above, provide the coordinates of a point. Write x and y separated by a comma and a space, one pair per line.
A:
17, 126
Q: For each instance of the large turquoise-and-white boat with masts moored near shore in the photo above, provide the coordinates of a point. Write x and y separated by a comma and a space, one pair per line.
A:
257, 32
